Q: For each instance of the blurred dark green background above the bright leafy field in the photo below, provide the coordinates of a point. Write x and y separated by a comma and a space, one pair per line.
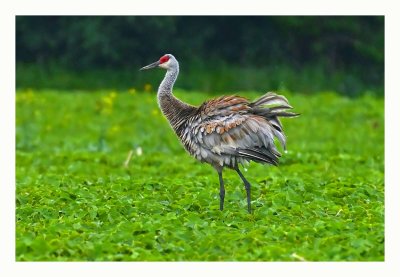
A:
217, 53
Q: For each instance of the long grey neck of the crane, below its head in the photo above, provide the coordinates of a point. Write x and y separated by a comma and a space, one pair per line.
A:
174, 109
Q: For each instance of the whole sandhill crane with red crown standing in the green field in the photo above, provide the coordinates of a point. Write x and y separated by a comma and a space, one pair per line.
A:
225, 131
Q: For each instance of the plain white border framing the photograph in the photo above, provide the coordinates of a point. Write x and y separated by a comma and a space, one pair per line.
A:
9, 267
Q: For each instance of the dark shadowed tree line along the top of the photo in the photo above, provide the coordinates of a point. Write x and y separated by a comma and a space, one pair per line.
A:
85, 42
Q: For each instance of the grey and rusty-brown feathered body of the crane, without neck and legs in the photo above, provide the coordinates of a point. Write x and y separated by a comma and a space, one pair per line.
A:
229, 130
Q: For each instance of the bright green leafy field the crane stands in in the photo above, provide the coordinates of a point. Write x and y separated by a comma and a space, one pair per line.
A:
76, 200
